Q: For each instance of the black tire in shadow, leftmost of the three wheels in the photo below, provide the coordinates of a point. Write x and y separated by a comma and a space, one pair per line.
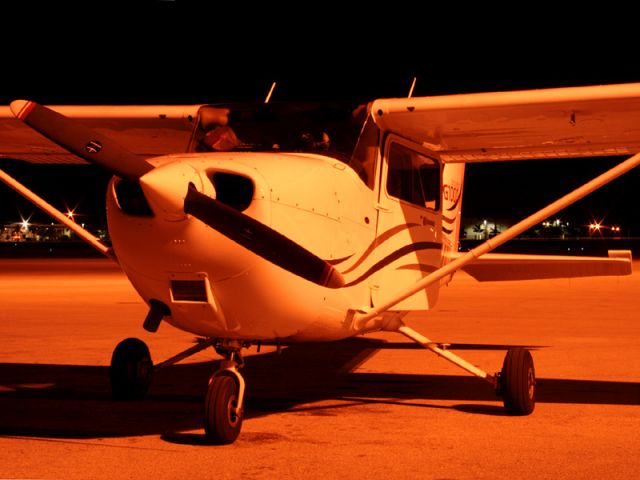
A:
131, 370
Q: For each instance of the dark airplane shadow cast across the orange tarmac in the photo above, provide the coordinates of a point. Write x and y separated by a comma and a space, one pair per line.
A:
69, 401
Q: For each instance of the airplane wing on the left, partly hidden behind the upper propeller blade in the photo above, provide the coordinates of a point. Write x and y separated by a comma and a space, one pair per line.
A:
146, 130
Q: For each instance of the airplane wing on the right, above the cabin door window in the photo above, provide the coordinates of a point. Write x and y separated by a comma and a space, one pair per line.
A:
550, 123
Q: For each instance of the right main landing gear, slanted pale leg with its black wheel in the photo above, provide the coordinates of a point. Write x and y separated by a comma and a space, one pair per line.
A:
516, 383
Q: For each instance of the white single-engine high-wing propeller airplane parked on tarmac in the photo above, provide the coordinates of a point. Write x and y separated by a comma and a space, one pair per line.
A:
285, 223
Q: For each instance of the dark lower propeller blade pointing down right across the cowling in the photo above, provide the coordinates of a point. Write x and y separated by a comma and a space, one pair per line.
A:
261, 240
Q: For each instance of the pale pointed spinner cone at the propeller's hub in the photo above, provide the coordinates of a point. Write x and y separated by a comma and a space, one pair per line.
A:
166, 188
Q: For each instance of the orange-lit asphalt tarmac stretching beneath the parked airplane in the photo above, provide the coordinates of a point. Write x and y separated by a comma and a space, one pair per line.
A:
322, 411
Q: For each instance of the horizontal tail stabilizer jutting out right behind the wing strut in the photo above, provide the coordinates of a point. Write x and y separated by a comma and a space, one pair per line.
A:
496, 266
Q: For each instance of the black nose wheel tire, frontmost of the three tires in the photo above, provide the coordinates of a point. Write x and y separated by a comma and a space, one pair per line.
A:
221, 424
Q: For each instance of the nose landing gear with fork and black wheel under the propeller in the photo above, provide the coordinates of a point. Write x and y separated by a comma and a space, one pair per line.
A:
223, 408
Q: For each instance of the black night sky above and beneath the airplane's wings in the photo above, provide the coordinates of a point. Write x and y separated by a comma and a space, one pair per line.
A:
164, 52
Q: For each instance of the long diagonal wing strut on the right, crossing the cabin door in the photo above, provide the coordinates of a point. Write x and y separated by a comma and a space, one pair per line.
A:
515, 230
